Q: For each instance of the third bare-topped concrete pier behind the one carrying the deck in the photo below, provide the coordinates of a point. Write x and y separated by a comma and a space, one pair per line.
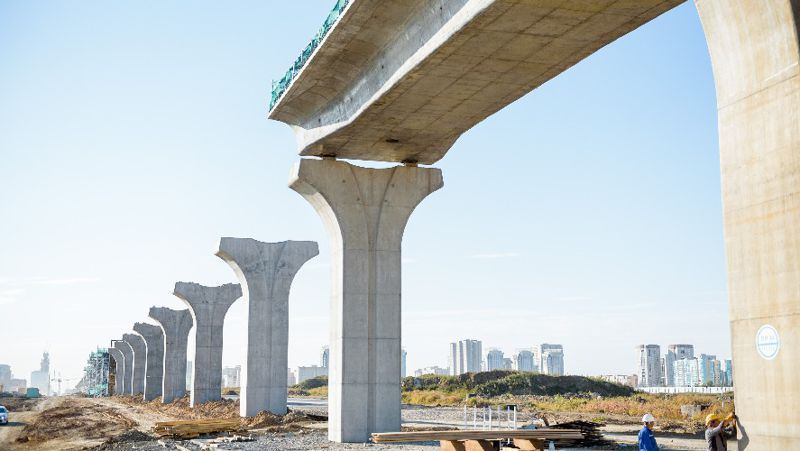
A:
176, 325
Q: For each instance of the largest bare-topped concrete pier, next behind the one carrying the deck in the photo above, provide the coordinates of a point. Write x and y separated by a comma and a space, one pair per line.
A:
265, 271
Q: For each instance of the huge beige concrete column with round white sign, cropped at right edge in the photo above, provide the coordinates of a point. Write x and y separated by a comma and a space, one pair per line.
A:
755, 55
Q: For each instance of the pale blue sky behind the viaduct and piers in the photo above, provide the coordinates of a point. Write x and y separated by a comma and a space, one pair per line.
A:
133, 135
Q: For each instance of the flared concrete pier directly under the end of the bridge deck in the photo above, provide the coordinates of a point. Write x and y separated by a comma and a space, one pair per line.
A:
365, 212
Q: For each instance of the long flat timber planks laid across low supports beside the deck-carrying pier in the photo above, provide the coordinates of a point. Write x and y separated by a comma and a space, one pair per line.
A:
495, 434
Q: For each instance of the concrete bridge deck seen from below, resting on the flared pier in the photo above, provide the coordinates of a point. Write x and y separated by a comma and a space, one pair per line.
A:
401, 81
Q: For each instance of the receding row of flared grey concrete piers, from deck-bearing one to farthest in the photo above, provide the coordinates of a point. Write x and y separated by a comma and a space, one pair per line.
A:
365, 212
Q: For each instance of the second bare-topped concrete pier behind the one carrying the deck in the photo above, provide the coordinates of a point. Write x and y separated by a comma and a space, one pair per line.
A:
208, 306
